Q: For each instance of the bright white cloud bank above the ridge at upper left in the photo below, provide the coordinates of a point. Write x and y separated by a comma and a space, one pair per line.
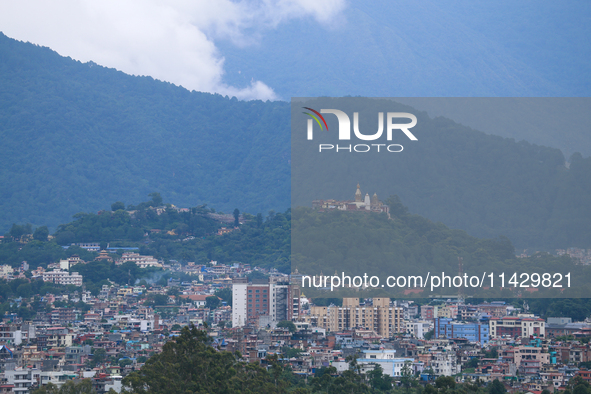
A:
169, 40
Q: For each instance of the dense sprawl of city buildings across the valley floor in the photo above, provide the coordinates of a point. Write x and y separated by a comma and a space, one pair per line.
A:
261, 313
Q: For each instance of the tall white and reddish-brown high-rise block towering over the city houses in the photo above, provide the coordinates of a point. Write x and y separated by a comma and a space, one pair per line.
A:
275, 299
